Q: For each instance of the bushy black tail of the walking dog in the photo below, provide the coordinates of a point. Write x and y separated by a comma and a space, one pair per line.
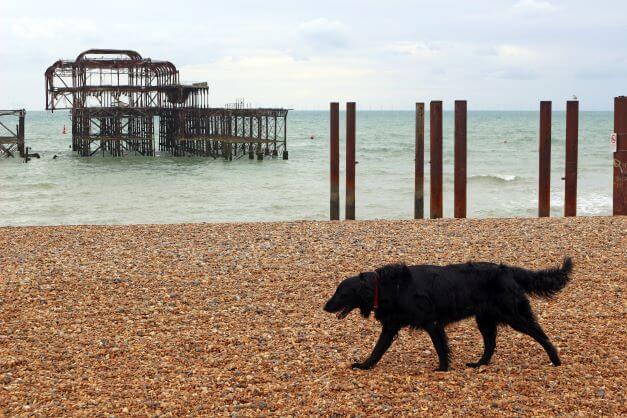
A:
544, 283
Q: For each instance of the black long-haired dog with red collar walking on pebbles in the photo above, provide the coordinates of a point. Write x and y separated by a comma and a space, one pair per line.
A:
431, 297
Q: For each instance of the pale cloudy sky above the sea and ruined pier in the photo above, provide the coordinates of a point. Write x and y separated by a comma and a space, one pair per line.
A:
498, 55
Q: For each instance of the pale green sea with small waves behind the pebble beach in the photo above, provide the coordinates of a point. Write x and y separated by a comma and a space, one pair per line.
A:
502, 174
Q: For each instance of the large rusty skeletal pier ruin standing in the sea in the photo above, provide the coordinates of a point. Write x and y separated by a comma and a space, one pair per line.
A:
116, 96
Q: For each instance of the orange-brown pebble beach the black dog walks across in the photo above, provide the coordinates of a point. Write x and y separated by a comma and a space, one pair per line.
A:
227, 320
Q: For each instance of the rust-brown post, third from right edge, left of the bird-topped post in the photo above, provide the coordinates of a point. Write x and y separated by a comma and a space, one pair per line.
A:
544, 194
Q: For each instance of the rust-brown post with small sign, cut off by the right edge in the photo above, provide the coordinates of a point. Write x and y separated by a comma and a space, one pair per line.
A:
620, 157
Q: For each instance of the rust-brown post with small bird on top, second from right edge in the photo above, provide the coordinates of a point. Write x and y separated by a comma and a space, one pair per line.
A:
570, 176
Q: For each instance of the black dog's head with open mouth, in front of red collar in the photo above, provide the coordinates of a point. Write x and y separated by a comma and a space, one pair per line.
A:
354, 292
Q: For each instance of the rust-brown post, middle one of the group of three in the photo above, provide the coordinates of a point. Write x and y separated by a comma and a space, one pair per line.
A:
435, 124
